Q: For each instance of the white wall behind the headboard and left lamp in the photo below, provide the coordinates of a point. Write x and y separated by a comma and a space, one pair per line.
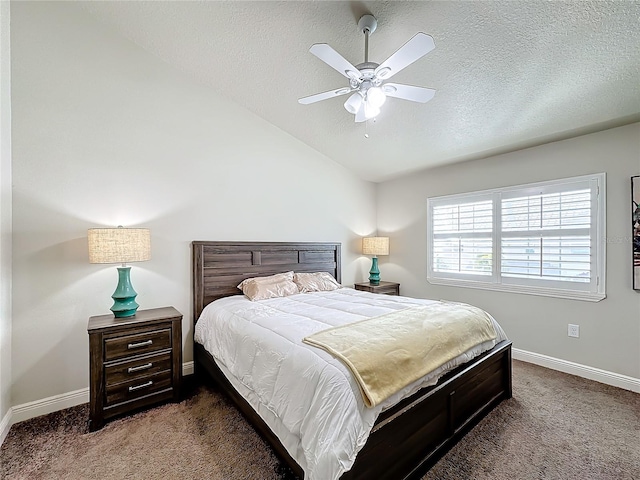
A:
105, 134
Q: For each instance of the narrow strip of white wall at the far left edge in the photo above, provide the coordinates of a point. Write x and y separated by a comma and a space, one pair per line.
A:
5, 213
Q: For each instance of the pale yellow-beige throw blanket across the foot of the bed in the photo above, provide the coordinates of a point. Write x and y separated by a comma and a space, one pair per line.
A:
389, 352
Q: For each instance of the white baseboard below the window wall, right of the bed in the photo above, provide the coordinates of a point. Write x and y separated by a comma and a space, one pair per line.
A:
584, 371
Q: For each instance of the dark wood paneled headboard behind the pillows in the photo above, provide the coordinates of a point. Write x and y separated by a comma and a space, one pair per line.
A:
218, 267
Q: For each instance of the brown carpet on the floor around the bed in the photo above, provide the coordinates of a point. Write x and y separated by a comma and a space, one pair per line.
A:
556, 426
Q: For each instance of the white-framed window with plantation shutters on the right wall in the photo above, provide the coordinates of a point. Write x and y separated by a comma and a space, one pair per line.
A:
544, 238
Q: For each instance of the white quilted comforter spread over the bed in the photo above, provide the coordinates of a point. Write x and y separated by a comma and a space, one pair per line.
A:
307, 397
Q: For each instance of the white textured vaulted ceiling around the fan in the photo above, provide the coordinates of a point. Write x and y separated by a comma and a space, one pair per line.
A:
508, 74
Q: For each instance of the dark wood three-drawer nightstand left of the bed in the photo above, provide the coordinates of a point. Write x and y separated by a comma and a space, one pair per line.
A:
134, 362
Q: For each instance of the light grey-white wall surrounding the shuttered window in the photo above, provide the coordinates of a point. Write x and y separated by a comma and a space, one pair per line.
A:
610, 329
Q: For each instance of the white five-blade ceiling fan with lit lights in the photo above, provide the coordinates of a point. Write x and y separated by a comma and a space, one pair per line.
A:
368, 80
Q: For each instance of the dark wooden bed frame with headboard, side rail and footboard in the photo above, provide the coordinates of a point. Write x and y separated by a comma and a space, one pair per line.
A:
406, 438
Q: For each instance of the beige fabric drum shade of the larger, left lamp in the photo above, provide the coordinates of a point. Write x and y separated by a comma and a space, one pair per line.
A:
119, 245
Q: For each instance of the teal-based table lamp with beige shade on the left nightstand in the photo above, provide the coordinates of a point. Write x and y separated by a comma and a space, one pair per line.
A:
120, 245
